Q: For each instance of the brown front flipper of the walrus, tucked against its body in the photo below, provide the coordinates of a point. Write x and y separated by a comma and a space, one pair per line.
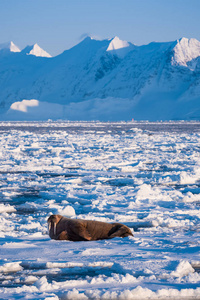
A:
78, 232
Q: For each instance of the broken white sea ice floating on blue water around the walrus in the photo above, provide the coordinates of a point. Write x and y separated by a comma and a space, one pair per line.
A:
145, 175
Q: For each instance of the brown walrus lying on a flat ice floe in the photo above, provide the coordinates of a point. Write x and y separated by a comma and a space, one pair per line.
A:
62, 228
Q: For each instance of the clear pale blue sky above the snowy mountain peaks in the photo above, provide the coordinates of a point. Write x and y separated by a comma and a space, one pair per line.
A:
57, 25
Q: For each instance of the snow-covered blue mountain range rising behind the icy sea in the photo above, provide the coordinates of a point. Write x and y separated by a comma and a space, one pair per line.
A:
105, 80
